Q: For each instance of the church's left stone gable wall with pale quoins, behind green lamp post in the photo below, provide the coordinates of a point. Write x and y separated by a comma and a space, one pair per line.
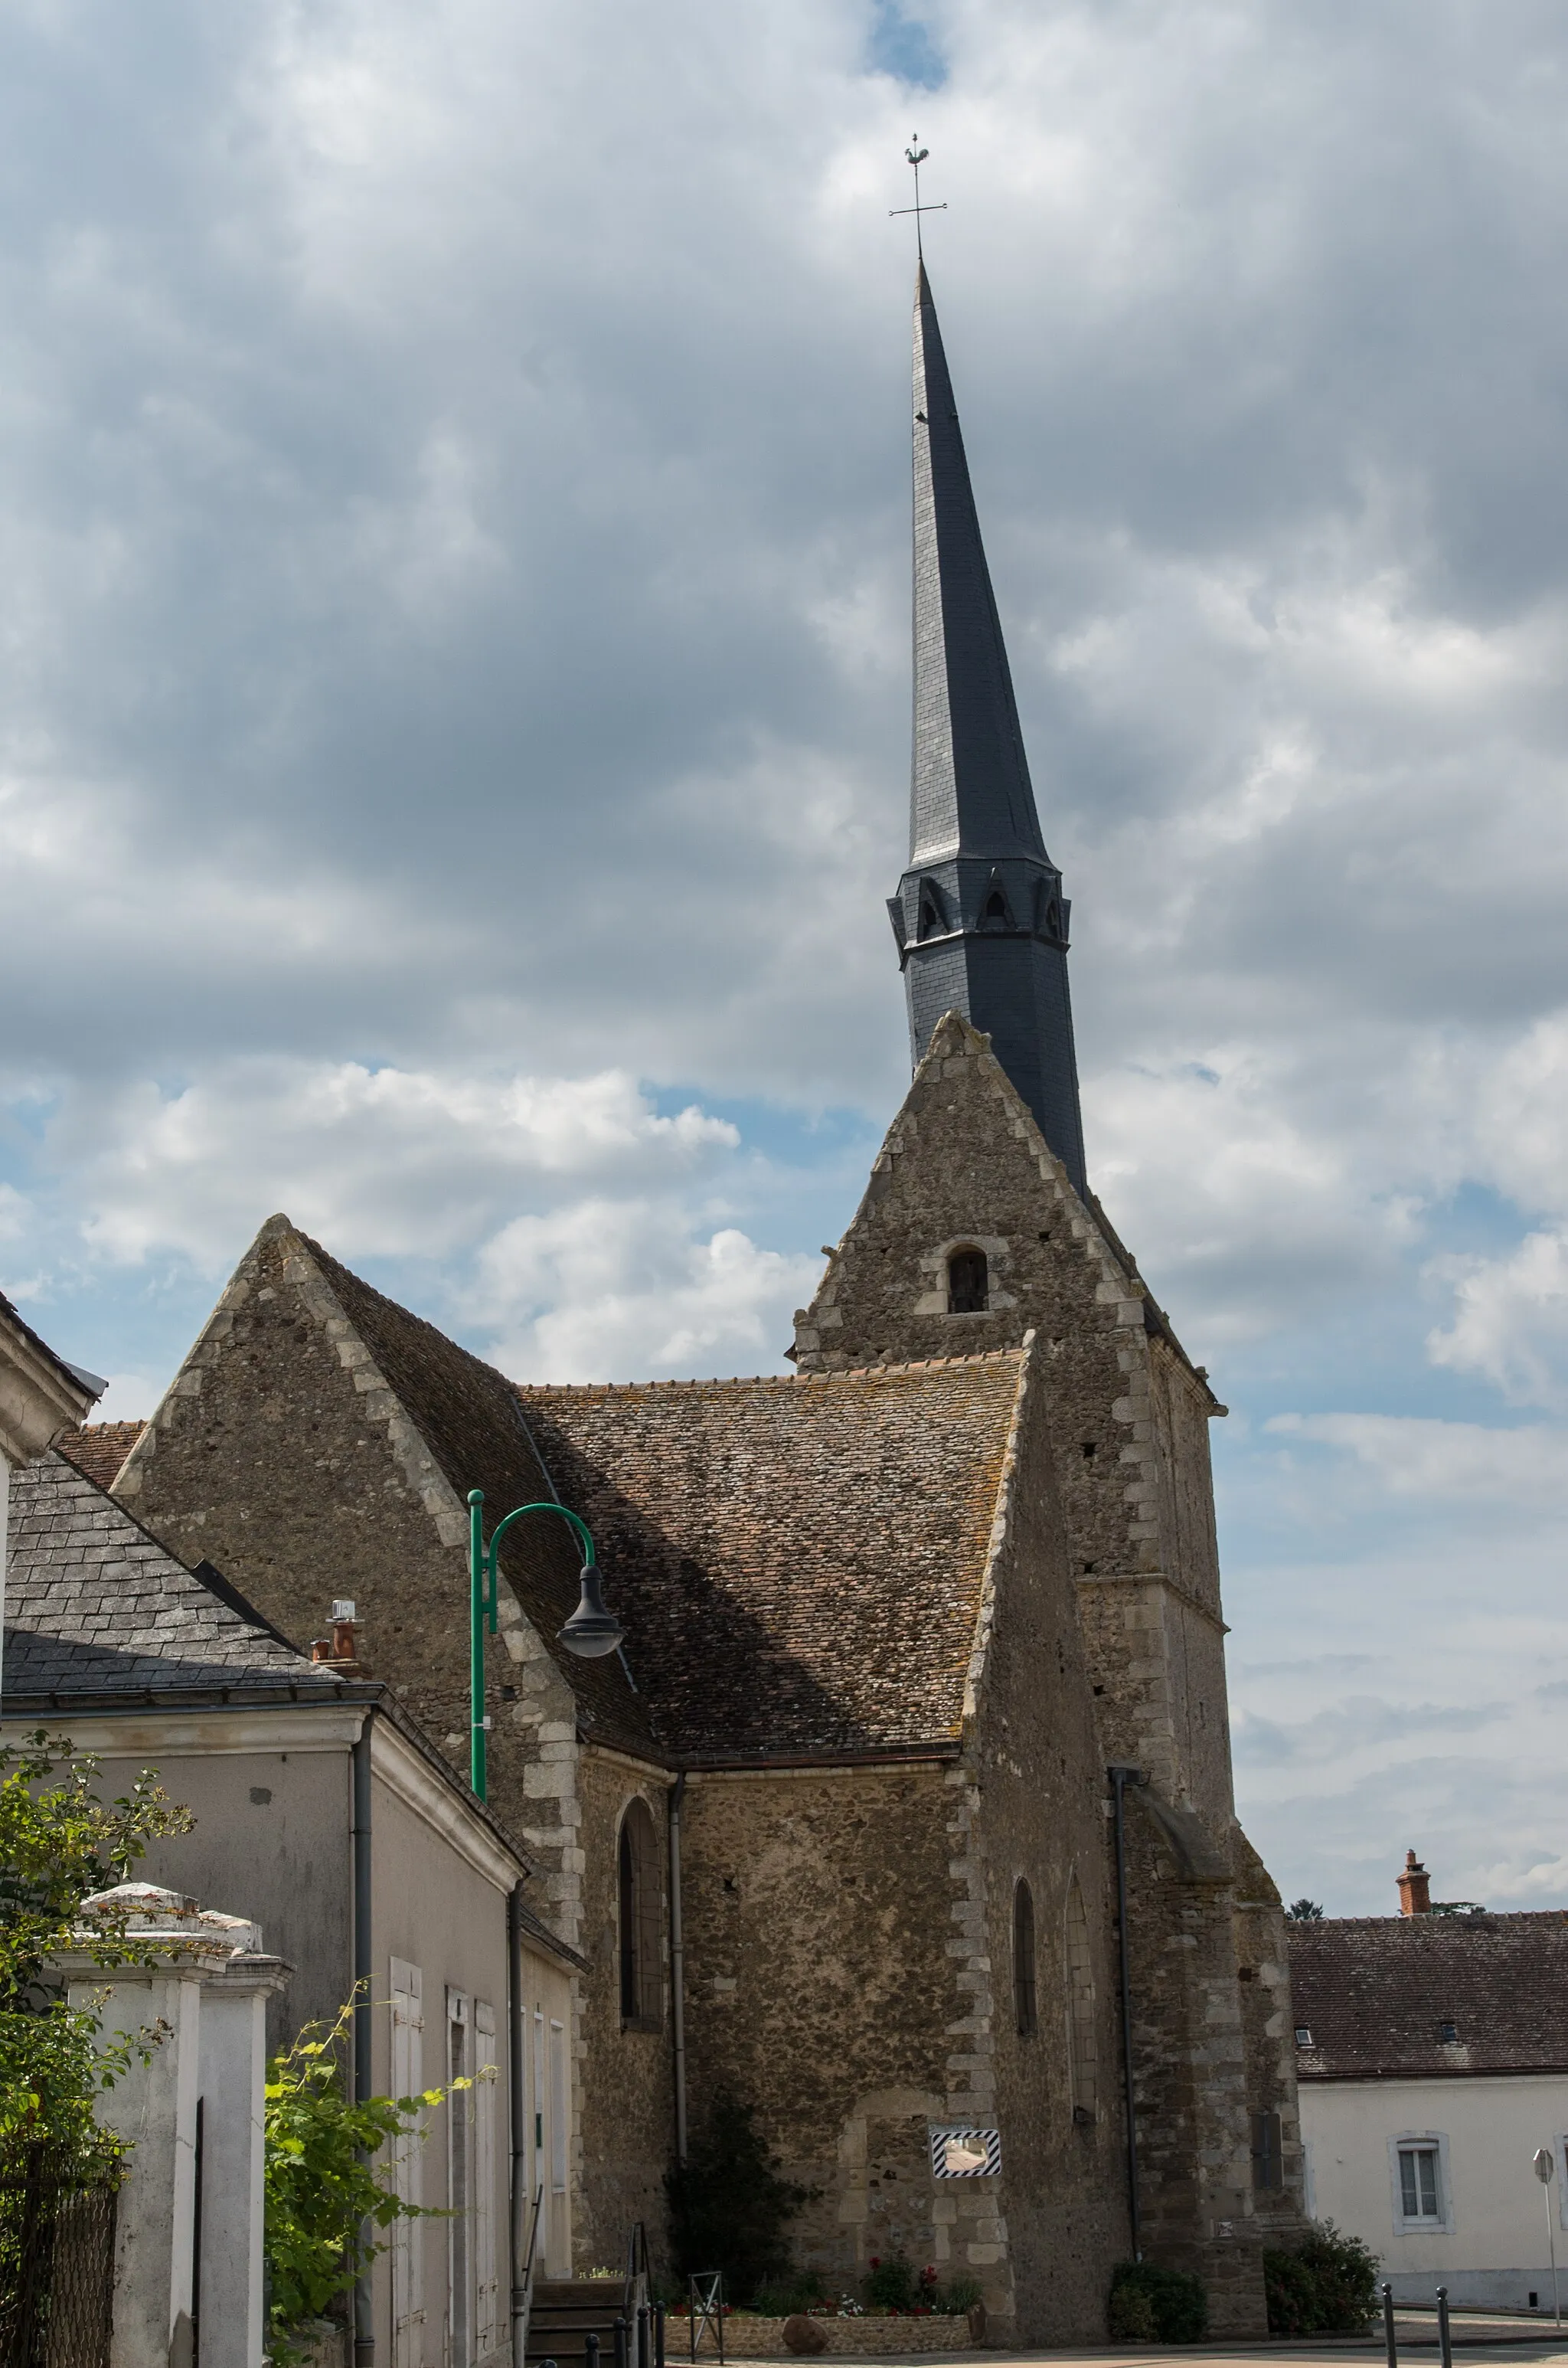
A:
283, 1458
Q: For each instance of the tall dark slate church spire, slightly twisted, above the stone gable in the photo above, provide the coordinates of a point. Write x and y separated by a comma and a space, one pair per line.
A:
979, 915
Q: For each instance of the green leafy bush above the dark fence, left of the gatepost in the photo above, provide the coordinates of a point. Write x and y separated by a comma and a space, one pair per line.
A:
60, 1843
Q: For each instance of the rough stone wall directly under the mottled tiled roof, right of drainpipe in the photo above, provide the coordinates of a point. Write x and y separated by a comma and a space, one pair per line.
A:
823, 1990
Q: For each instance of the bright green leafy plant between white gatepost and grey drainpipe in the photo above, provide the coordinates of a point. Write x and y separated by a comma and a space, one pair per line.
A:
326, 2196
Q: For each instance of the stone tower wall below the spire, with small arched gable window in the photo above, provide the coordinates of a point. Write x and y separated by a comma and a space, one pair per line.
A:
968, 1166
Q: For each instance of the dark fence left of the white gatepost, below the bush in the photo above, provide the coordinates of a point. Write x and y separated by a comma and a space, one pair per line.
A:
56, 2258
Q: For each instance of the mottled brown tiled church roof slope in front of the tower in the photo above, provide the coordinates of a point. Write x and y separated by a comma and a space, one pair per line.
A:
797, 1562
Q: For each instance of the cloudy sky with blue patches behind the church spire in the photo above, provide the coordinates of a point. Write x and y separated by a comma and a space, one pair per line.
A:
454, 731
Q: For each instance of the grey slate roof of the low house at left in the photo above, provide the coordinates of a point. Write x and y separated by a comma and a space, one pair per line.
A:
94, 1604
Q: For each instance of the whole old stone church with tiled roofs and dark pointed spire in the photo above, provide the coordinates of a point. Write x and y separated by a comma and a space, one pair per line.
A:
925, 1647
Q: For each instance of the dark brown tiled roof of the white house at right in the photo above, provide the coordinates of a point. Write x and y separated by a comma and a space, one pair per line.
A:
1380, 1993
